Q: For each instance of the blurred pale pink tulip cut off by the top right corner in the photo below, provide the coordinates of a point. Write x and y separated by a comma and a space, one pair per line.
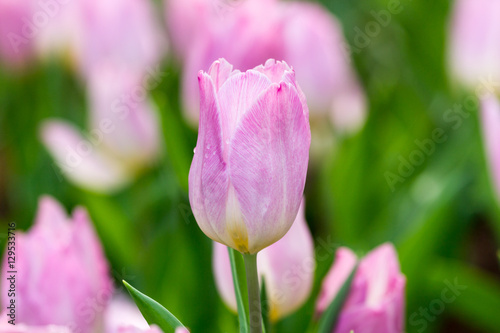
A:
474, 50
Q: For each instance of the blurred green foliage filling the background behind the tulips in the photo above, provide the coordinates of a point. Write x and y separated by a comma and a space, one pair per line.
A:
442, 216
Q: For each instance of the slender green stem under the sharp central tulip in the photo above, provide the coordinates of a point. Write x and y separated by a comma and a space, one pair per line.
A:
255, 314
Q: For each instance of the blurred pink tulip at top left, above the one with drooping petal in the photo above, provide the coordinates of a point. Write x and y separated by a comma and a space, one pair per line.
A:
122, 33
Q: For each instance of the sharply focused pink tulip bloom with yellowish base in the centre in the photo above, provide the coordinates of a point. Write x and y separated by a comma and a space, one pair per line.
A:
249, 168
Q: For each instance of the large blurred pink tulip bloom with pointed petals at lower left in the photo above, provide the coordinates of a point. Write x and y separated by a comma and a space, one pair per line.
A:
62, 274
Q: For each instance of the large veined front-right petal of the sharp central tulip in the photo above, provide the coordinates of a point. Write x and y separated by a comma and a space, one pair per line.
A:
273, 135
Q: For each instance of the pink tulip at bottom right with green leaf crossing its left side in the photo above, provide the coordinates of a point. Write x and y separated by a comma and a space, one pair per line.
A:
376, 299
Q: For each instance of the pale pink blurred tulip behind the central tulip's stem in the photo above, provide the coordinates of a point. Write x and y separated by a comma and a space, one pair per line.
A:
287, 267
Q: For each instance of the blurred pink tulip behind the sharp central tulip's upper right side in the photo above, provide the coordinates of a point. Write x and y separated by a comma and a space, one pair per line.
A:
315, 46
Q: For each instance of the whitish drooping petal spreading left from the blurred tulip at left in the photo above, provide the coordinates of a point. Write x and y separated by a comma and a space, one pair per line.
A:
79, 160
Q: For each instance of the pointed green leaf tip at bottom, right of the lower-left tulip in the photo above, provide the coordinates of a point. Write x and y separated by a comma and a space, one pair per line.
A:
153, 312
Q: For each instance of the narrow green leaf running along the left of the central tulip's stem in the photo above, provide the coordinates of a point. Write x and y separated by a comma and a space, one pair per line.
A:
240, 289
